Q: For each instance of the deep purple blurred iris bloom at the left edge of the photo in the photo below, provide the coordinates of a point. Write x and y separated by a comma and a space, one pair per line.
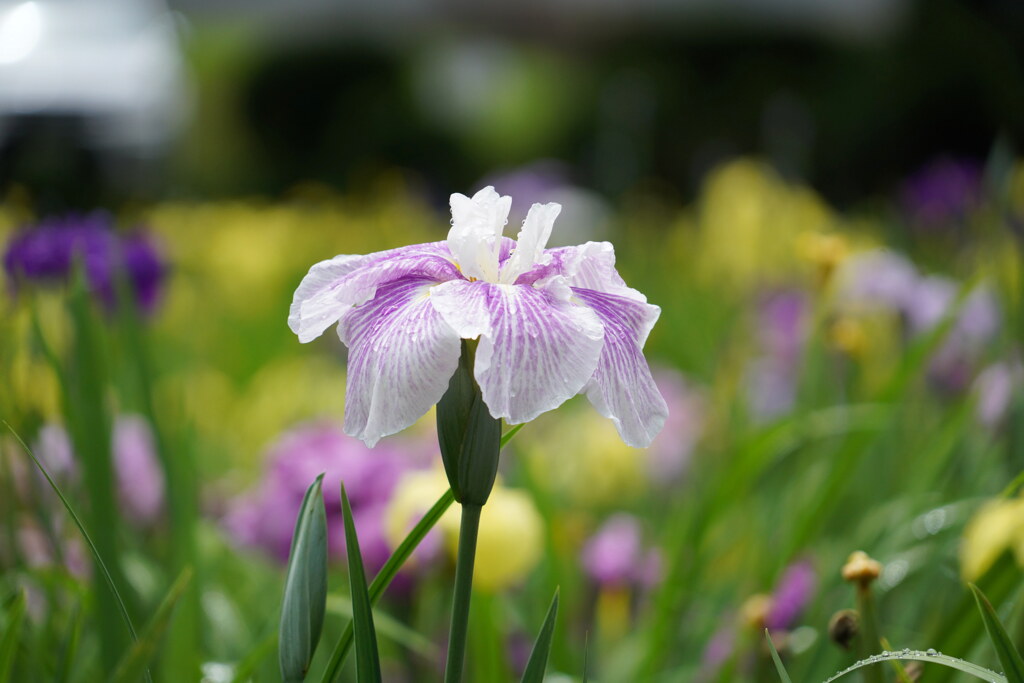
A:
48, 252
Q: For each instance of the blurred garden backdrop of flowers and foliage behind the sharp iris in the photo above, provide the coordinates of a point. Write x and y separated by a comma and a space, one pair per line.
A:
827, 200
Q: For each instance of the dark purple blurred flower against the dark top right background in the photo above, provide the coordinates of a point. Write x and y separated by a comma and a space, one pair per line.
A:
943, 193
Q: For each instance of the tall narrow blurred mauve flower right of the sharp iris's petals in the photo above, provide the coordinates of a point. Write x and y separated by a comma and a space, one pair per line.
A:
773, 377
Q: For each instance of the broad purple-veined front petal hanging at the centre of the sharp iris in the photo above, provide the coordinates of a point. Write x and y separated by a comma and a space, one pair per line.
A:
537, 349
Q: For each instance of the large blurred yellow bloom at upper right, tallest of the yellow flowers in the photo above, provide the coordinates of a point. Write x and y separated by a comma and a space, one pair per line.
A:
750, 221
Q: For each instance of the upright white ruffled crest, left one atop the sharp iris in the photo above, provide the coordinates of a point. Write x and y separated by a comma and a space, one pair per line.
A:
476, 238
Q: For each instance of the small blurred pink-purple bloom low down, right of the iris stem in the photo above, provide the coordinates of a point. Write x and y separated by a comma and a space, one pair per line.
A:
616, 557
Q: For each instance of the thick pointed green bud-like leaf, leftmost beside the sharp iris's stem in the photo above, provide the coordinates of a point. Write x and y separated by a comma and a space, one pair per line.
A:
306, 588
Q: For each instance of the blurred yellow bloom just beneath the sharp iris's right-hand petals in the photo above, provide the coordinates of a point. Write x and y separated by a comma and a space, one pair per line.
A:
593, 466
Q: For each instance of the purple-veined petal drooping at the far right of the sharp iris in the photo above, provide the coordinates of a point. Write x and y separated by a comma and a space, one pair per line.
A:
623, 389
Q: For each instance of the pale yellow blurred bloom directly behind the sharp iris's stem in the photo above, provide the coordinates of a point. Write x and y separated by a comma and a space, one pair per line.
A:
511, 536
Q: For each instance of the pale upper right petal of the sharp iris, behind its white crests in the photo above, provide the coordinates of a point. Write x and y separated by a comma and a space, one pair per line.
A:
590, 266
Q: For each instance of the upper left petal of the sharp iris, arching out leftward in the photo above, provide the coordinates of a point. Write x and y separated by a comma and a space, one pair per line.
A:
332, 288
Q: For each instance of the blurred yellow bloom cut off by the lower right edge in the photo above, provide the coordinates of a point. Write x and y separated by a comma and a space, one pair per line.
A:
999, 526
